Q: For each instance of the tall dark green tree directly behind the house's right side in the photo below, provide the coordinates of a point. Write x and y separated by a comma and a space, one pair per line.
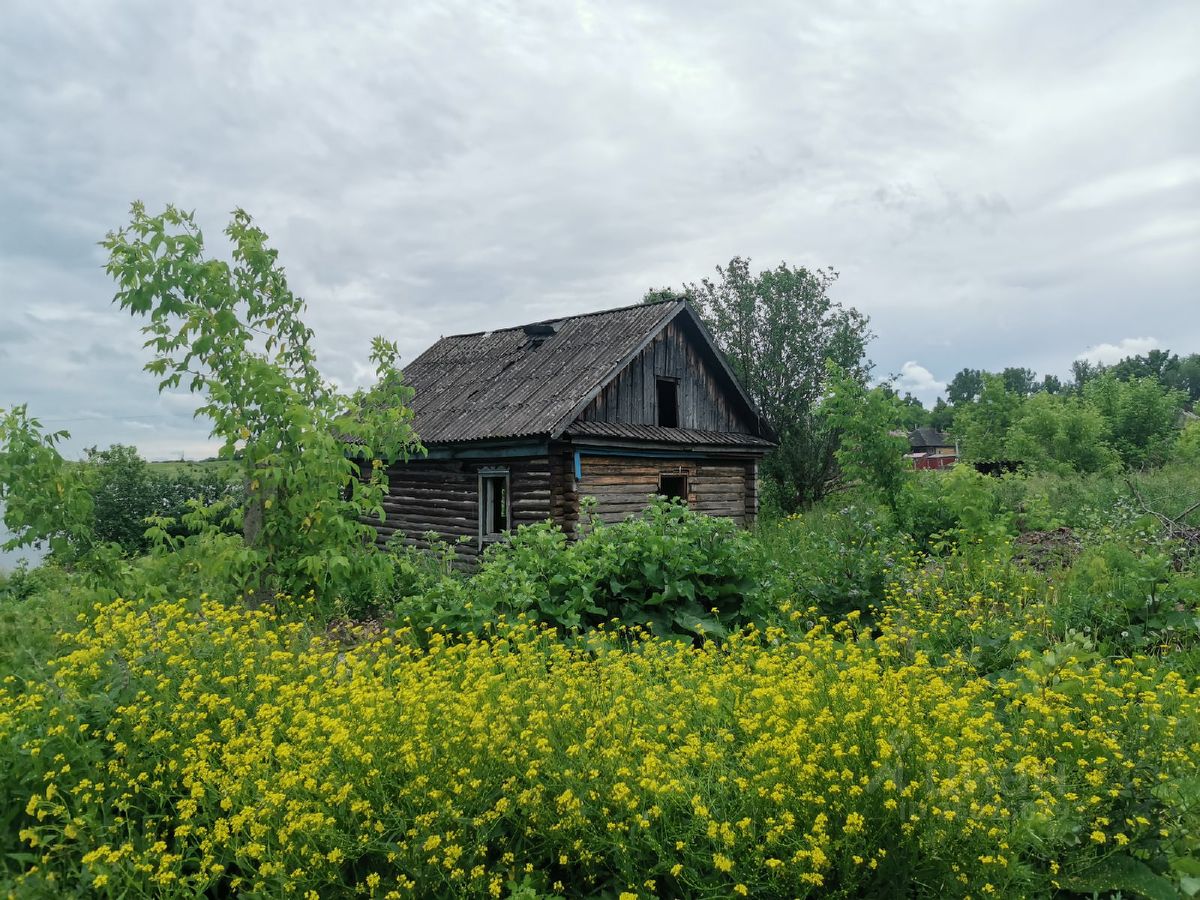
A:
778, 329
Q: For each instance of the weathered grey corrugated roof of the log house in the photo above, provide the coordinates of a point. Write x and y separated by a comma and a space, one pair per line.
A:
532, 381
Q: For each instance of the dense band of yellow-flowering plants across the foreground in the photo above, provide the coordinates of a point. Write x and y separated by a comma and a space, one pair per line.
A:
196, 748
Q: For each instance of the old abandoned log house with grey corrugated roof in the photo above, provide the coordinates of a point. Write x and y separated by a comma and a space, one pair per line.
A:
620, 405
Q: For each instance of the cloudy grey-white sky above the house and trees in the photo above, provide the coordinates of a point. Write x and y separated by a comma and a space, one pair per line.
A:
997, 183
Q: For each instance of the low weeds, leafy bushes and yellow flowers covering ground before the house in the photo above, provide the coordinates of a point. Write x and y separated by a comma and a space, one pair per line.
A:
963, 716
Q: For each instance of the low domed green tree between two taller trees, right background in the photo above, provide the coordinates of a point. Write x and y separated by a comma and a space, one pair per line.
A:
1060, 434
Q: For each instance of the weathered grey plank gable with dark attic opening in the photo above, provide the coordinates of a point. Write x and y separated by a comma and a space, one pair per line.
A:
705, 404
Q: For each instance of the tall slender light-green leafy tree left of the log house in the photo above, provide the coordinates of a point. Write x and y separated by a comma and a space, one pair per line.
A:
235, 334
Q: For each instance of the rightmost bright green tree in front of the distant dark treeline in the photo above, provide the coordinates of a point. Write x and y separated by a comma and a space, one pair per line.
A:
1141, 415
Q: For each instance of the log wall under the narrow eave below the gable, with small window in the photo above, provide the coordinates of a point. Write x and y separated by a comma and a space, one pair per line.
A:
622, 485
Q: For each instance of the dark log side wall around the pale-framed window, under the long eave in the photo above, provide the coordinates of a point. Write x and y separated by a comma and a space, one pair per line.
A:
442, 496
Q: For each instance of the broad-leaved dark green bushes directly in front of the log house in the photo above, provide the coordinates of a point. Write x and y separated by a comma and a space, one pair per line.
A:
673, 571
